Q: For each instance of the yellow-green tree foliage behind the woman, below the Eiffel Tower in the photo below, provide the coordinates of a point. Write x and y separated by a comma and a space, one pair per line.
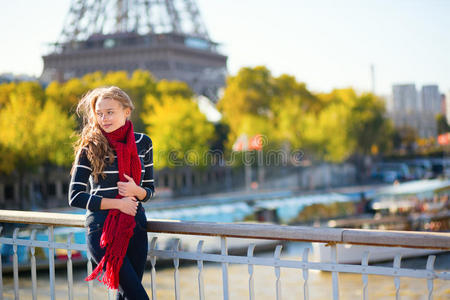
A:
38, 125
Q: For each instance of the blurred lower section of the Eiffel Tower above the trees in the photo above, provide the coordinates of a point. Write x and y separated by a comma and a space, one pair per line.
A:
166, 37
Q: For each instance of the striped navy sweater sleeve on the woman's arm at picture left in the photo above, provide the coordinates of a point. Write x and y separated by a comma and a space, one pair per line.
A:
78, 195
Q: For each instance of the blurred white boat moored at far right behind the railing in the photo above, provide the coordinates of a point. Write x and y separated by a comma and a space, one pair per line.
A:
421, 205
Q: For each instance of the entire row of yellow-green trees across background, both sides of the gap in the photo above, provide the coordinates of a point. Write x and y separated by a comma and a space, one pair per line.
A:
37, 124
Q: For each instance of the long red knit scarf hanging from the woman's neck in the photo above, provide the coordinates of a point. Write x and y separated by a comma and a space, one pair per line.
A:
118, 227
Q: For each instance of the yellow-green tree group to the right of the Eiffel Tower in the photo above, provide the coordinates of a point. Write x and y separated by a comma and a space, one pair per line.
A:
329, 126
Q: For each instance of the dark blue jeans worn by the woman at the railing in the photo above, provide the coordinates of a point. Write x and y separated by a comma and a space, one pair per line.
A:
132, 270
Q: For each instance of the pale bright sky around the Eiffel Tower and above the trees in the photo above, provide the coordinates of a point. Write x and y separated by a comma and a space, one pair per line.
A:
325, 43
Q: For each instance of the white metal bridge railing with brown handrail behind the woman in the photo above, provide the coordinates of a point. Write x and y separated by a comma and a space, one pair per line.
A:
333, 237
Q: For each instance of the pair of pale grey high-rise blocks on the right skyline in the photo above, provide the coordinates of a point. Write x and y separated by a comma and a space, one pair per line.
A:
408, 108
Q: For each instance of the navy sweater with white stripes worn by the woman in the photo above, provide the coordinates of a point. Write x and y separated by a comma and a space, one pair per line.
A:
79, 196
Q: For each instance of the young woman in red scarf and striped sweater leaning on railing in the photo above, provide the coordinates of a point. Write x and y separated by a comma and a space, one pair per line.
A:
118, 164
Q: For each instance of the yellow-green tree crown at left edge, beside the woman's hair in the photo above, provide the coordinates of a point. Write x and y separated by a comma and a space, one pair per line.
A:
33, 133
